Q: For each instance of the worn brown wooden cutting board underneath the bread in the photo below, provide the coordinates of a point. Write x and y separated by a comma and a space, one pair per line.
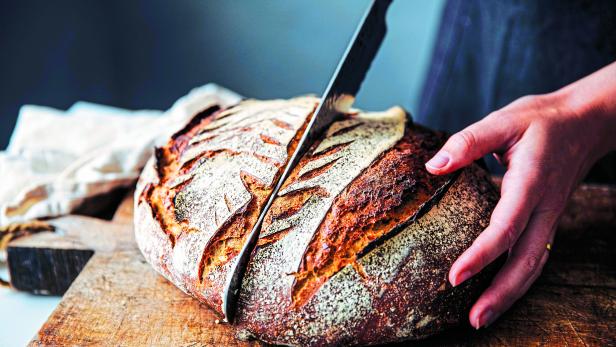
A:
117, 299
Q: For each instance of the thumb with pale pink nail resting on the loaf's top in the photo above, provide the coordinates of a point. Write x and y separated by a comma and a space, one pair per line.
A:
490, 134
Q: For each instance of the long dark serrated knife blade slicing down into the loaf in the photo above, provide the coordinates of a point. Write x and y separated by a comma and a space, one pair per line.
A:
338, 97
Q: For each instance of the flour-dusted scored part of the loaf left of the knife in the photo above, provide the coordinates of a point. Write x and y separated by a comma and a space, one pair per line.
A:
200, 195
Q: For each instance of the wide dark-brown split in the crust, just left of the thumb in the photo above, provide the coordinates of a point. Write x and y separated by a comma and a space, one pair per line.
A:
384, 197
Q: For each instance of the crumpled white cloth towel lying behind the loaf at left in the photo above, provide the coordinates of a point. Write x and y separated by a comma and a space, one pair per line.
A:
56, 159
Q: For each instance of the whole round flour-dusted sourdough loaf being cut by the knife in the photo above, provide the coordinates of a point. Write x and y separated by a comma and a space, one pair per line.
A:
357, 245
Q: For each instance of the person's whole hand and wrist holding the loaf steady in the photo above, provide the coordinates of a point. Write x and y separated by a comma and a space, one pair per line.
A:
547, 143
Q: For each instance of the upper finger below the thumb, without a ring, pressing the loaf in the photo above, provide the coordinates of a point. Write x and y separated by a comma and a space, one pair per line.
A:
520, 193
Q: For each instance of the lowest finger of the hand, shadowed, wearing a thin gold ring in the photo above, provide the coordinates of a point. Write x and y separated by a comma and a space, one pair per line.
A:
522, 268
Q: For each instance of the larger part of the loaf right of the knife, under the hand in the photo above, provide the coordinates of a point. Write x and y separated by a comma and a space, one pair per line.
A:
350, 256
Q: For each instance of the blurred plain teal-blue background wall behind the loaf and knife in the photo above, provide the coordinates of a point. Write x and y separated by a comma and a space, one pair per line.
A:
147, 53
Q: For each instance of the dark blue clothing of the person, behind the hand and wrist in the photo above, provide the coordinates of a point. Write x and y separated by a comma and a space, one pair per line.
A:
489, 53
